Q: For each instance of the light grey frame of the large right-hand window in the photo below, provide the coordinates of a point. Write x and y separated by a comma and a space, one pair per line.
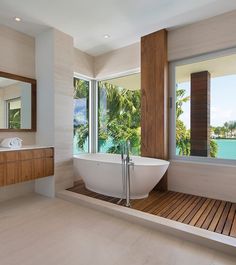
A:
172, 122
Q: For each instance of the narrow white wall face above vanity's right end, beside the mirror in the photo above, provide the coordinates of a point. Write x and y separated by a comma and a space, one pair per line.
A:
45, 88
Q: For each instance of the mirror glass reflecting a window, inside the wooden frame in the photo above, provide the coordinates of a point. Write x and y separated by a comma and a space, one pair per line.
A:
15, 104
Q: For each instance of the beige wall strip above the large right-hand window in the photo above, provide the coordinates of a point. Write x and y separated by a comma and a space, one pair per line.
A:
209, 35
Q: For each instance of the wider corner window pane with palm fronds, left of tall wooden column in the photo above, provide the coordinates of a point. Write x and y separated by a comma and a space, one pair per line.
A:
119, 110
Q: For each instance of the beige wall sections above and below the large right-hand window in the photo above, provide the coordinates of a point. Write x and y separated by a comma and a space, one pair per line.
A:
211, 180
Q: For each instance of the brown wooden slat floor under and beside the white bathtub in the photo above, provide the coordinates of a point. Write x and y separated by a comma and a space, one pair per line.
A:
213, 215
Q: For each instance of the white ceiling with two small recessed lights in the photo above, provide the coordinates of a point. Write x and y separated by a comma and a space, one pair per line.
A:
124, 20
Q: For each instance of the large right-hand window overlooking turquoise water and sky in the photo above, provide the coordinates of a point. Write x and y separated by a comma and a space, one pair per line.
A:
220, 102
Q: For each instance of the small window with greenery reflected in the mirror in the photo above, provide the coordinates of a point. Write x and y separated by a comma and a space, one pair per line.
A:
14, 113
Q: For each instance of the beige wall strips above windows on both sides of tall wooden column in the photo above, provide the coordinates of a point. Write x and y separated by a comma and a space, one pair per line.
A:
209, 35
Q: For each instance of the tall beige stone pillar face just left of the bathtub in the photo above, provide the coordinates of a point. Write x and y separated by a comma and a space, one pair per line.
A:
63, 109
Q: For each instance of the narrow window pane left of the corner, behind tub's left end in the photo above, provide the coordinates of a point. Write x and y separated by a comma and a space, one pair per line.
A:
81, 116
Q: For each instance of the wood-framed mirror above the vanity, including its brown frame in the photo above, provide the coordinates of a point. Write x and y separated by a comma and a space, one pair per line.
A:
17, 103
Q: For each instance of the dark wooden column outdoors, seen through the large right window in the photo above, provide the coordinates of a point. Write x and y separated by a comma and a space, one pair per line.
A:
200, 114
